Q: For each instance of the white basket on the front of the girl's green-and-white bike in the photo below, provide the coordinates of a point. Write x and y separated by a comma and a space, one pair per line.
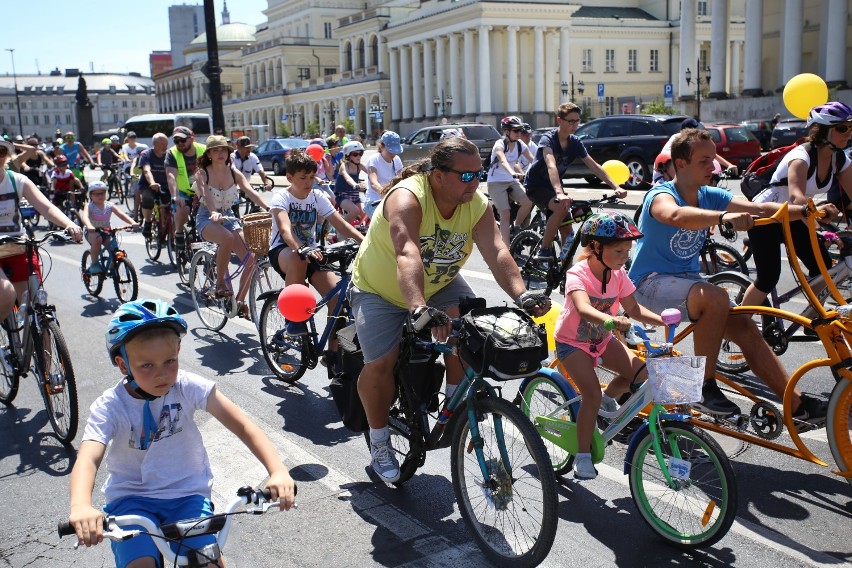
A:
676, 380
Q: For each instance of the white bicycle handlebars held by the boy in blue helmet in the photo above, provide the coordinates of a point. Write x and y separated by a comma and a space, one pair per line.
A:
255, 501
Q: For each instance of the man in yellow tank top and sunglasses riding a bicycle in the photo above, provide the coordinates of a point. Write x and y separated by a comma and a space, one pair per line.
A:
420, 237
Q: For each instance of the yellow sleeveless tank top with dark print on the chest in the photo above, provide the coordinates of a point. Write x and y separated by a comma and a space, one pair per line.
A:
445, 244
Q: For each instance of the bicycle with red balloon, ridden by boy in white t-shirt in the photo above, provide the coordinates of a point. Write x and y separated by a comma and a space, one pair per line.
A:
290, 356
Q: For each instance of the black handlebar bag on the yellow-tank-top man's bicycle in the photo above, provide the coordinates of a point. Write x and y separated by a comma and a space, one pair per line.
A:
501, 342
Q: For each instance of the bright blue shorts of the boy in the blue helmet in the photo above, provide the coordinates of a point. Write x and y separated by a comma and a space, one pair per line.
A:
160, 511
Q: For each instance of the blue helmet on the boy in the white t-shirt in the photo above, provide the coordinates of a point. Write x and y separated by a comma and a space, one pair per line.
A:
133, 317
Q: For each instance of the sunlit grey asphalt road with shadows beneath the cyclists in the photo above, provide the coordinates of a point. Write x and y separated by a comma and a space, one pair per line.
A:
791, 513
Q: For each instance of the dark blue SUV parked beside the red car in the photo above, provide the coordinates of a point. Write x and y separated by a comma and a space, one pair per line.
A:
635, 139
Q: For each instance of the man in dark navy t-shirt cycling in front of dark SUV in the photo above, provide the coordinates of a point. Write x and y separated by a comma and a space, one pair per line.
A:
556, 150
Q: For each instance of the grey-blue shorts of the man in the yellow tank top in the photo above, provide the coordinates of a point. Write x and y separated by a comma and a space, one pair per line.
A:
379, 323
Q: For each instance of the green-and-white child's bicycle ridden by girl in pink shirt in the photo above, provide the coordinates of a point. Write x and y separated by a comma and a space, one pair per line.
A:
681, 481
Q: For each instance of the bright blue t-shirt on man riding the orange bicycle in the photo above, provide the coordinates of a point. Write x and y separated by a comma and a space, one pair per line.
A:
671, 250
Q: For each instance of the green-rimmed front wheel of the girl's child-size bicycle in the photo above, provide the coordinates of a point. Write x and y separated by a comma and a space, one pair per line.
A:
710, 480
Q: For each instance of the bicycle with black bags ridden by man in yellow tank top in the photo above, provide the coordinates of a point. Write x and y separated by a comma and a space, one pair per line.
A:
499, 466
